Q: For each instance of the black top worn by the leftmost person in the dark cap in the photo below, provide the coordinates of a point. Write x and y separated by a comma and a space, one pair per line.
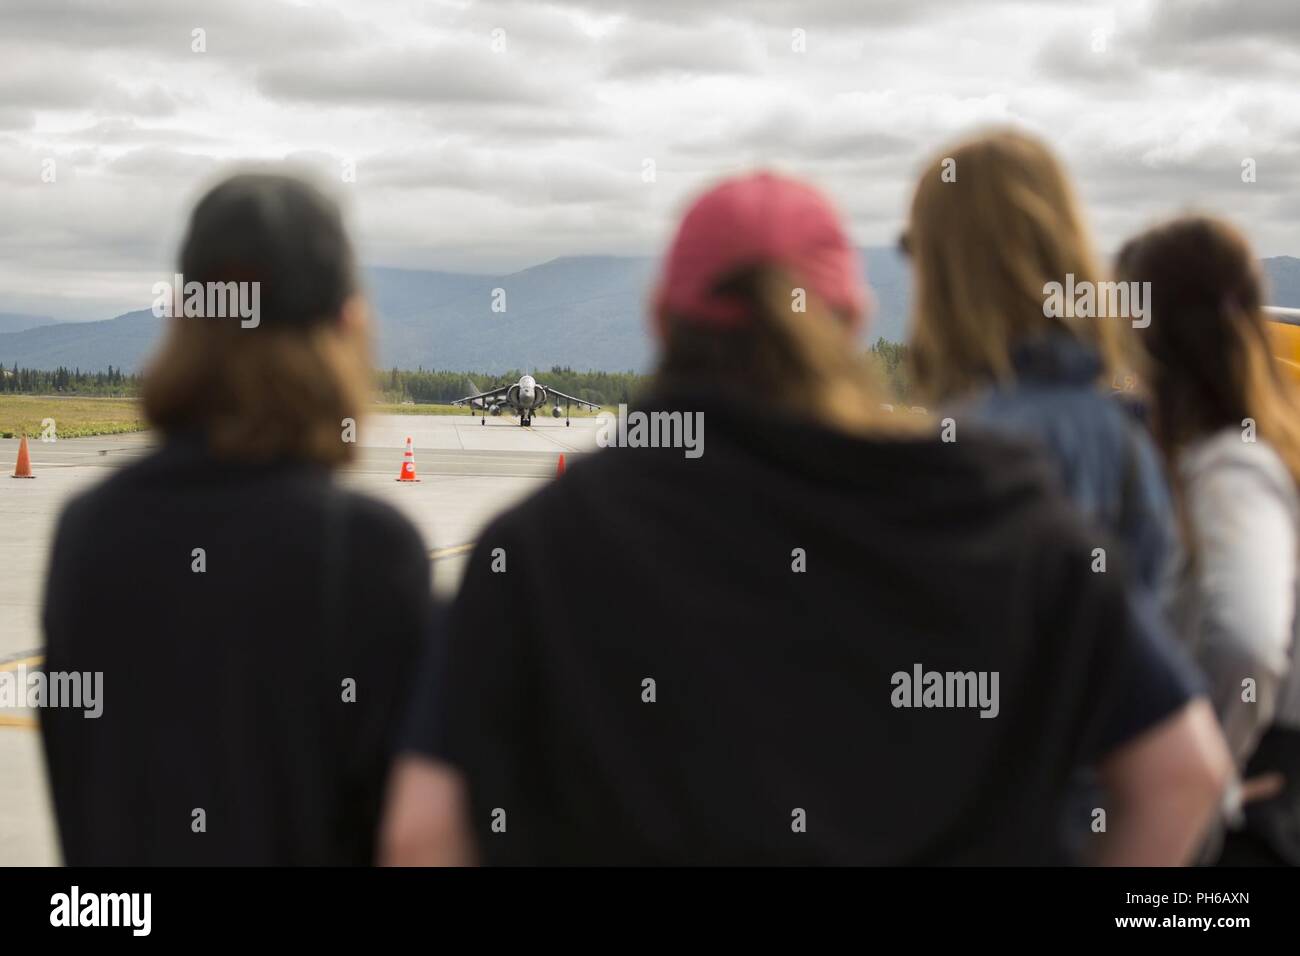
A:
252, 700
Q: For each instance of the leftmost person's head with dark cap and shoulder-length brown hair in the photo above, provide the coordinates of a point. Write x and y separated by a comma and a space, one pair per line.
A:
283, 388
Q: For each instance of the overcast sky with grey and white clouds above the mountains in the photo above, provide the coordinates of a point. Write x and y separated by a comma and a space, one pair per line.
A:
495, 136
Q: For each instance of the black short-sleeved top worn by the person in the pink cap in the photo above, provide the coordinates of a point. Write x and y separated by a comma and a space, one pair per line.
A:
638, 672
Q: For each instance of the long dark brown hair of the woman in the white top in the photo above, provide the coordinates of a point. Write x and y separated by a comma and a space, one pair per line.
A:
1208, 347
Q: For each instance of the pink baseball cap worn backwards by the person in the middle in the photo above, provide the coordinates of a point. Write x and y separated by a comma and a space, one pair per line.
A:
755, 220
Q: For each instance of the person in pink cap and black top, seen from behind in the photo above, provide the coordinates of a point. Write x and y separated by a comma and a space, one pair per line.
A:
813, 634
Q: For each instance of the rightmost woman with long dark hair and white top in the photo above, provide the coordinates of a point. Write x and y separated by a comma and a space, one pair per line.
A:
1228, 421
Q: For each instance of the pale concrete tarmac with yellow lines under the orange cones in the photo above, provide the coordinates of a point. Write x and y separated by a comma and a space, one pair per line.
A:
469, 474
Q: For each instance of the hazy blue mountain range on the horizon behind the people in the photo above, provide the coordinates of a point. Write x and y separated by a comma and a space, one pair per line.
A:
584, 313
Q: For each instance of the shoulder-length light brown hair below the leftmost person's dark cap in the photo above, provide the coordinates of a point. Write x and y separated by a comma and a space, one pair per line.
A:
257, 395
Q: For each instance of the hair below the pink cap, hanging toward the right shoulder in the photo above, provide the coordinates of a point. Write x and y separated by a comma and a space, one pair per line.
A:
800, 362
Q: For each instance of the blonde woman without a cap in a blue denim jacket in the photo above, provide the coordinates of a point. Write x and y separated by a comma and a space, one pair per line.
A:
995, 232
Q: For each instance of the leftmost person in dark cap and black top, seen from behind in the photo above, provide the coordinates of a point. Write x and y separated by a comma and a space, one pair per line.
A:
266, 620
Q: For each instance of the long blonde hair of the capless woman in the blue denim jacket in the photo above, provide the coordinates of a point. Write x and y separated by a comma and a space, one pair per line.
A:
985, 246
